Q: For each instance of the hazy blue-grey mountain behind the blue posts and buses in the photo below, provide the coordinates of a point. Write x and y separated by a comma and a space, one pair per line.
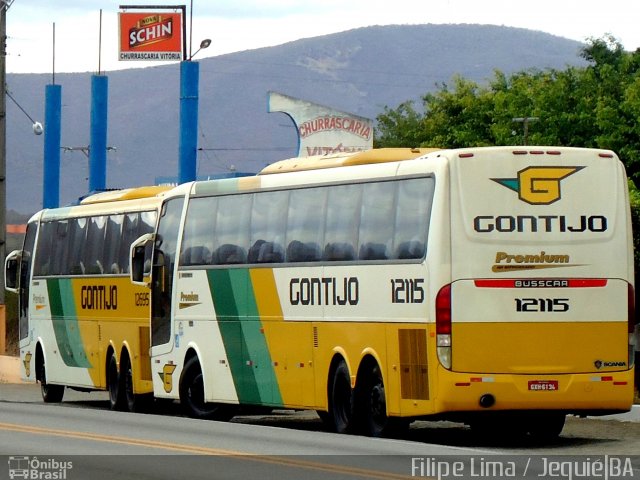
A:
359, 71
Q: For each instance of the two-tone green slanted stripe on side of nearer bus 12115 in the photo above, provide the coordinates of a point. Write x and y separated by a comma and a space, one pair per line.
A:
244, 341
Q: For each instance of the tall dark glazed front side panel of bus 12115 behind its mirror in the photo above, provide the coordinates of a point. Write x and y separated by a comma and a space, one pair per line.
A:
162, 273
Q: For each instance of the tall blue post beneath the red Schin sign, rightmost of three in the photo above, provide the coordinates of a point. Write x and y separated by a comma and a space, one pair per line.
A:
189, 85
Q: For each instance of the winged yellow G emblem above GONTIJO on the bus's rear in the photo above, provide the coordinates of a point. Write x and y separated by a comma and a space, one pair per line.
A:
538, 185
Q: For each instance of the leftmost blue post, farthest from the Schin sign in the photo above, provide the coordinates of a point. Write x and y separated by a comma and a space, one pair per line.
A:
52, 116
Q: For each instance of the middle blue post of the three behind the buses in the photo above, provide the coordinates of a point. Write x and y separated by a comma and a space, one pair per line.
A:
98, 141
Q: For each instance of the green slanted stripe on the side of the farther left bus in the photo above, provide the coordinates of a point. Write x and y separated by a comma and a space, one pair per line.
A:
65, 323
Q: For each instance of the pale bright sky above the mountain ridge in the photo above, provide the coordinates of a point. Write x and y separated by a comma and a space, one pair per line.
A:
236, 25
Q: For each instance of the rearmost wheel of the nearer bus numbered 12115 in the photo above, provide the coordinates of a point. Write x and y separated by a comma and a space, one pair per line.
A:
372, 404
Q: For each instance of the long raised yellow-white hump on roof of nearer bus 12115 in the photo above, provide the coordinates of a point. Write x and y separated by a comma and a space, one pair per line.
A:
379, 155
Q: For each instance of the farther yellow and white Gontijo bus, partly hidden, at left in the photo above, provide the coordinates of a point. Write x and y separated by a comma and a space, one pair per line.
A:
82, 324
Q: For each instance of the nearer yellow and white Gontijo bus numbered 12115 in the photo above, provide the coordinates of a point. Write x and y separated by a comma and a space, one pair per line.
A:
492, 286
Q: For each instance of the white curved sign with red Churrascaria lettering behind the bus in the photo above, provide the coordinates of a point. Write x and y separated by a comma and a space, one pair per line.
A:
323, 130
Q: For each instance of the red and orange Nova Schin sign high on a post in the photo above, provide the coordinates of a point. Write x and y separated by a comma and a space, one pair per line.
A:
150, 36
